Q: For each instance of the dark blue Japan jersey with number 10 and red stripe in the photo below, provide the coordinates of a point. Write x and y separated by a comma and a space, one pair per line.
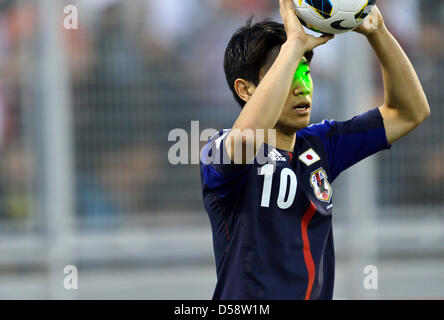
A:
272, 223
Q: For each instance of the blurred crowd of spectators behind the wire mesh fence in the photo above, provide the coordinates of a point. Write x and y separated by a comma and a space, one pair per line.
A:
139, 69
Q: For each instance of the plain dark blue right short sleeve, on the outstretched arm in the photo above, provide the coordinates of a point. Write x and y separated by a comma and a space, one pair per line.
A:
348, 142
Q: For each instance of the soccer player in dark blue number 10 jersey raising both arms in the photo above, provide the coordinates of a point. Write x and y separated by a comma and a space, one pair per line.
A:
272, 222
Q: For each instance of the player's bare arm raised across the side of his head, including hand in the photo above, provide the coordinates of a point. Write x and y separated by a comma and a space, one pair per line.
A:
266, 102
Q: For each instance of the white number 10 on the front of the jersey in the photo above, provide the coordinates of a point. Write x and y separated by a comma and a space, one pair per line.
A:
267, 171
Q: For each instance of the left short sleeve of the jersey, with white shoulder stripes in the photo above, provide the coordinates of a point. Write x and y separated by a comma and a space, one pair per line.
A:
218, 172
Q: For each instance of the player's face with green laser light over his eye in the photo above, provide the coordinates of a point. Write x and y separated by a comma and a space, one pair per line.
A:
297, 110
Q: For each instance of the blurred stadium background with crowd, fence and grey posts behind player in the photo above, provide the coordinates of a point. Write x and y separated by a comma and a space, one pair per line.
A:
84, 174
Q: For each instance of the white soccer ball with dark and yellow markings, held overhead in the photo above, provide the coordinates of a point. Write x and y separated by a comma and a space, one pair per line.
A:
332, 16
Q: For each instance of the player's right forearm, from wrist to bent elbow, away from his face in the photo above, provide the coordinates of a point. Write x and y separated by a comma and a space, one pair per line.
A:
403, 90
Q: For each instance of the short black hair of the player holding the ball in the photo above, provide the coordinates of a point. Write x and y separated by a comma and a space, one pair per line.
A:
248, 51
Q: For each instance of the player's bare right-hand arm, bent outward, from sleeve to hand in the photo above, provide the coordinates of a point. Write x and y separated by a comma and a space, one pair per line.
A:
405, 106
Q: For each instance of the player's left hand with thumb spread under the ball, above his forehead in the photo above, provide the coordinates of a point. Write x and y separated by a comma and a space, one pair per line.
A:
294, 29
